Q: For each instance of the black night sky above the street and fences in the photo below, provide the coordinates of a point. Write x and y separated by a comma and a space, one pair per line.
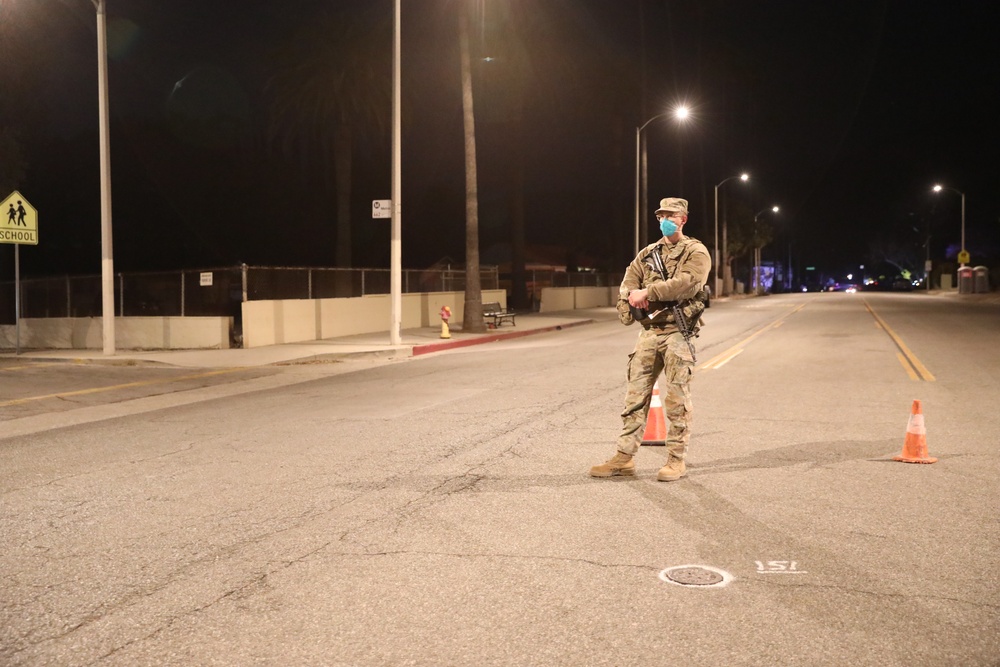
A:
844, 113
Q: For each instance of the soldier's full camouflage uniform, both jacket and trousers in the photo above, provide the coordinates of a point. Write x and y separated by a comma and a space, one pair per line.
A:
661, 347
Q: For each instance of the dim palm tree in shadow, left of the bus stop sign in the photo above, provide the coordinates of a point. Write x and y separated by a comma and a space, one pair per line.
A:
331, 83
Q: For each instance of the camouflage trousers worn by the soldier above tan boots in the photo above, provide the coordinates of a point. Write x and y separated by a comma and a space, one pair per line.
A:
657, 353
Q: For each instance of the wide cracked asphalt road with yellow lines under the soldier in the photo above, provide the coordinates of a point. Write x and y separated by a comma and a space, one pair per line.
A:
437, 511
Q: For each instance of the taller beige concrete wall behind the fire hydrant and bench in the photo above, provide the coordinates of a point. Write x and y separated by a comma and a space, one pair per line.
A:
297, 320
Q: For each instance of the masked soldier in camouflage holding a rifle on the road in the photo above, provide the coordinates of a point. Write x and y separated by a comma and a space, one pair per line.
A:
663, 284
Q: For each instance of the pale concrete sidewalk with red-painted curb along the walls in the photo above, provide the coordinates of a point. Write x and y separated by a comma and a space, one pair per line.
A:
414, 342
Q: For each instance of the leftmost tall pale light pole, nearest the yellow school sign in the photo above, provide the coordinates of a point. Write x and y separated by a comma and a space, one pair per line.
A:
107, 254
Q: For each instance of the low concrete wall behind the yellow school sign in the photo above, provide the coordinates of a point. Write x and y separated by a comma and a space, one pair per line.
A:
131, 333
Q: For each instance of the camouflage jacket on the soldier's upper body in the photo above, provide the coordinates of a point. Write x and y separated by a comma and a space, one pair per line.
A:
687, 265
